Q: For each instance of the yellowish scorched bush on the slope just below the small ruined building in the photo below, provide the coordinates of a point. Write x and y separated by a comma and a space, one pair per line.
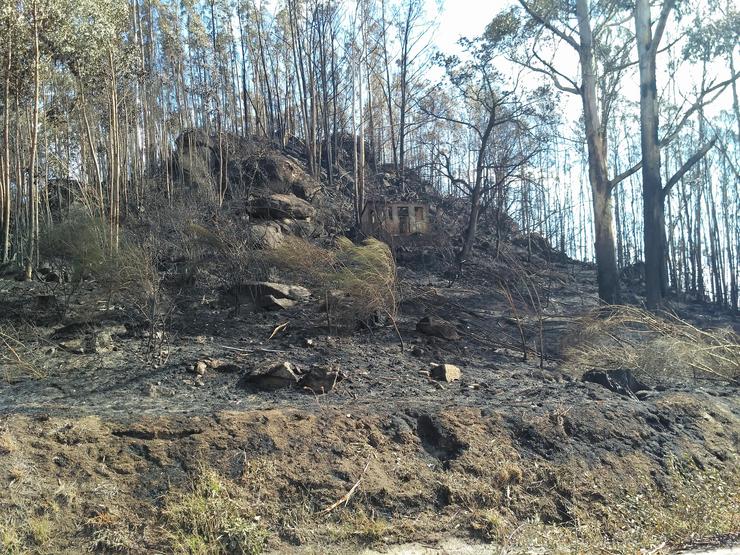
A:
358, 281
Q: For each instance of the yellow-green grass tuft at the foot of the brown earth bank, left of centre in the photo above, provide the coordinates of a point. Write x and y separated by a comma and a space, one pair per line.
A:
208, 520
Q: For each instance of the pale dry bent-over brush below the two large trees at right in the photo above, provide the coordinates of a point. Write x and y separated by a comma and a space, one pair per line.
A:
657, 348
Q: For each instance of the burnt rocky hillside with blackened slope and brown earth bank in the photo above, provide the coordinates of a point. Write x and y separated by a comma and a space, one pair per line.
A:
242, 379
